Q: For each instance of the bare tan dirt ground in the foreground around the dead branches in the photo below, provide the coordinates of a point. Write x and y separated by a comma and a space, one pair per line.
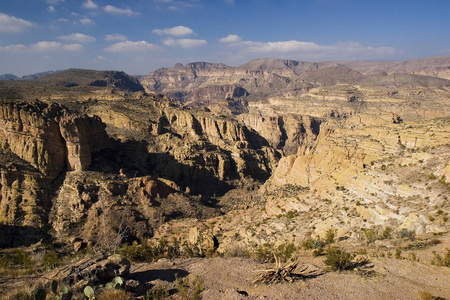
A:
232, 279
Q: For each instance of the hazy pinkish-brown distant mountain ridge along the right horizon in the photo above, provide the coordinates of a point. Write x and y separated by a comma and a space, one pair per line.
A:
266, 77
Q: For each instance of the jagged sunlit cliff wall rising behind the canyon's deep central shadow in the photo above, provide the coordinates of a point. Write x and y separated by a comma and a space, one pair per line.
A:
194, 148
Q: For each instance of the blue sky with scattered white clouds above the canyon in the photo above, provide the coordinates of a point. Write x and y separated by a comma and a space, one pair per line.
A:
138, 36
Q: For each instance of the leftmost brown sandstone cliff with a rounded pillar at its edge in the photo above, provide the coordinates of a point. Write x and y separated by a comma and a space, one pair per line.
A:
38, 143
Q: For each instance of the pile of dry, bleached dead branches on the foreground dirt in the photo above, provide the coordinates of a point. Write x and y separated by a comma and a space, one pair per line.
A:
288, 272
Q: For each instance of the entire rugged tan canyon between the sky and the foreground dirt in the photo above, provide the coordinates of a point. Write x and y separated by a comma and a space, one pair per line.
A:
226, 158
